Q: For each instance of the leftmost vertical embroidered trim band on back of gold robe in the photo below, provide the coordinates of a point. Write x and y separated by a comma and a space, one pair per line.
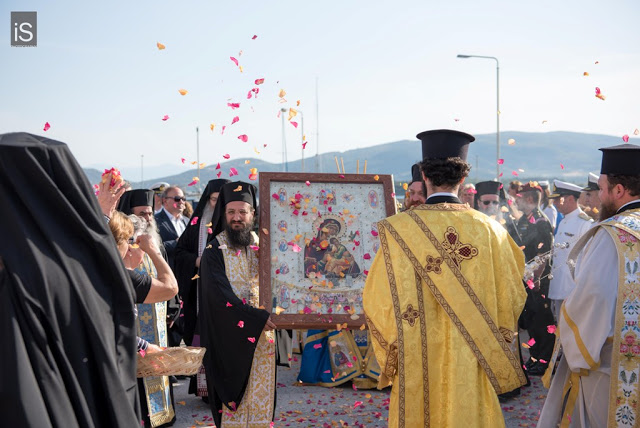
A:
396, 311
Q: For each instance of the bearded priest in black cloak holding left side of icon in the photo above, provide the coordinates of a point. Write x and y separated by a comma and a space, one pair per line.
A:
240, 361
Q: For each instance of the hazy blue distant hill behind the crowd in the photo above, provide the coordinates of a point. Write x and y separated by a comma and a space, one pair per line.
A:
540, 155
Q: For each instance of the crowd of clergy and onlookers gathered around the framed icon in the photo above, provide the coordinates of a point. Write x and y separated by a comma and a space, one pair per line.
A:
89, 281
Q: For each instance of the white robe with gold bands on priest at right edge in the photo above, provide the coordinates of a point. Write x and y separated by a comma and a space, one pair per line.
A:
586, 325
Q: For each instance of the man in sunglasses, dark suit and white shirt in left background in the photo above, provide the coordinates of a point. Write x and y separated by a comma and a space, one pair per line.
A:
171, 222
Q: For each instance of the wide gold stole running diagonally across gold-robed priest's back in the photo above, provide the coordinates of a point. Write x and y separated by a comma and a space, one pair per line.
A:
489, 343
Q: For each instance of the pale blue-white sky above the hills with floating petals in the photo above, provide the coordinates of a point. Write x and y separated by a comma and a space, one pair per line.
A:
385, 71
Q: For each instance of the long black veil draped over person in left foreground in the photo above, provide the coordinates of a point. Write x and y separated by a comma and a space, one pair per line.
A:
66, 300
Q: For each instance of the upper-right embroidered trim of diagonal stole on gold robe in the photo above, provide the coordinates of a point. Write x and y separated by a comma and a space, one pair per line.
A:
515, 362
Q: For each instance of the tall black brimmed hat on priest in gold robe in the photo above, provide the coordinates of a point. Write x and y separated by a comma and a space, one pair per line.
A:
445, 143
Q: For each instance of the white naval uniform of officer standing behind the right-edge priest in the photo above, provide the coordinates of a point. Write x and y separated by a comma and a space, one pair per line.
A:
571, 228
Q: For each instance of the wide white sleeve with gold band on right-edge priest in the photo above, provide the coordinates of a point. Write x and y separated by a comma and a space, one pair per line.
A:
588, 315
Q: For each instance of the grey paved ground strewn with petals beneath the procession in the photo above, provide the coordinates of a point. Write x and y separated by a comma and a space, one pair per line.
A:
308, 406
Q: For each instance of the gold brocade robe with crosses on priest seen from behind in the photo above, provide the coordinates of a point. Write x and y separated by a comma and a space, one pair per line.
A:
442, 300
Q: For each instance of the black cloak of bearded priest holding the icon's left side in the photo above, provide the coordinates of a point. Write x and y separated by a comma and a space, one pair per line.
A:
229, 354
